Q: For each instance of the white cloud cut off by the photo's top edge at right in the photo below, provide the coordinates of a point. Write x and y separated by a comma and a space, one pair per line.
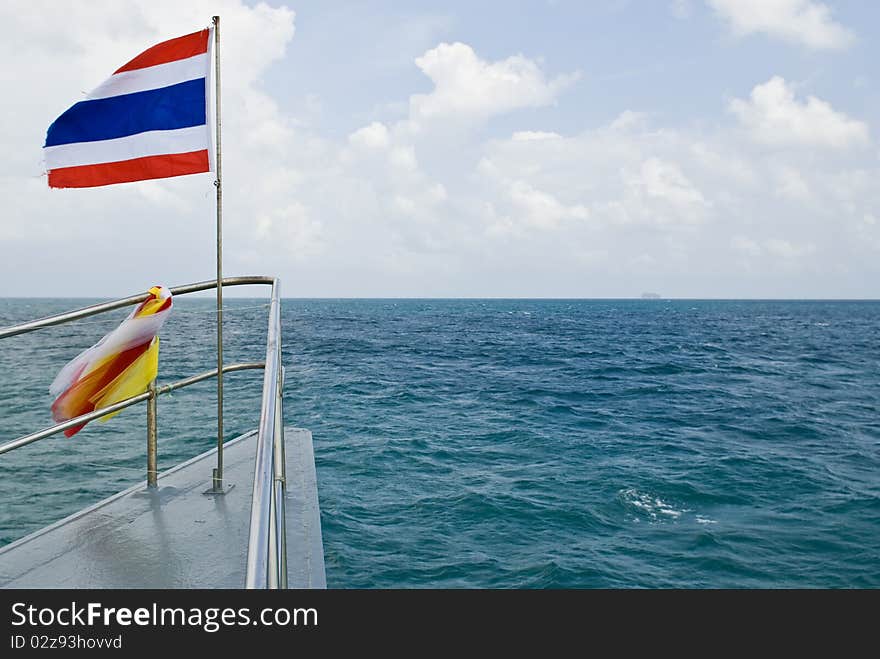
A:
798, 21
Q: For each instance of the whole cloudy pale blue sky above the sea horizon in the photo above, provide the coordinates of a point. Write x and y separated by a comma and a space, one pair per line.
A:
697, 148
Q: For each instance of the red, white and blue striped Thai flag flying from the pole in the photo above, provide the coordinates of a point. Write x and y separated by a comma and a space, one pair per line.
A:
149, 120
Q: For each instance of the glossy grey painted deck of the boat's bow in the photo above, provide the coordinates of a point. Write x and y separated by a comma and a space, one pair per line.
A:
175, 536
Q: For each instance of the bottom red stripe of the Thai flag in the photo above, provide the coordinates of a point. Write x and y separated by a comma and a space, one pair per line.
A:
126, 171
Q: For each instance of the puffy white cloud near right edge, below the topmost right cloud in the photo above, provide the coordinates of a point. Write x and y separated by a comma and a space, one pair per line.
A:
773, 116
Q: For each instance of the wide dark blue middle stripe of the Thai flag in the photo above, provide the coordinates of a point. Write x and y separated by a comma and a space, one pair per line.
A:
176, 106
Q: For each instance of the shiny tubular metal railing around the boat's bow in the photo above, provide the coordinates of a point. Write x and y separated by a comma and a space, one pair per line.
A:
267, 550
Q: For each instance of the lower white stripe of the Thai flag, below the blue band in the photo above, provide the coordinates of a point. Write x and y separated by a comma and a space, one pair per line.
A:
151, 143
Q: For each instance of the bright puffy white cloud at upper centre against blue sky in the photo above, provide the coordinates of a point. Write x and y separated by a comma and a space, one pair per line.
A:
467, 86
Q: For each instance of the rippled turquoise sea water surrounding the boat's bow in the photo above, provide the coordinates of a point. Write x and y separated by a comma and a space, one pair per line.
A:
517, 443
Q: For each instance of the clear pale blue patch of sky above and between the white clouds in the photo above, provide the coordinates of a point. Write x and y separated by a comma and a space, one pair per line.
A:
632, 55
